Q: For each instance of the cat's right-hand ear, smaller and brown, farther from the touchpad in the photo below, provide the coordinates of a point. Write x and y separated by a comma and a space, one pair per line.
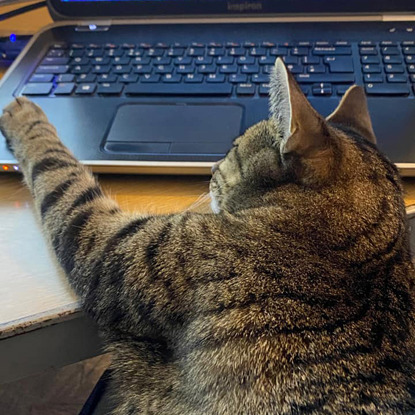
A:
352, 112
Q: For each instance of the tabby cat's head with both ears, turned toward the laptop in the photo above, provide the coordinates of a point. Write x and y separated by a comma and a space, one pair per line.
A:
298, 147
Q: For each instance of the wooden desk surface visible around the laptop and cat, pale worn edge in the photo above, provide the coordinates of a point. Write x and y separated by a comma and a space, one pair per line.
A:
32, 289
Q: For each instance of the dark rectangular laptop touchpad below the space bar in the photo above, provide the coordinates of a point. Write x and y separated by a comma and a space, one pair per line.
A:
174, 129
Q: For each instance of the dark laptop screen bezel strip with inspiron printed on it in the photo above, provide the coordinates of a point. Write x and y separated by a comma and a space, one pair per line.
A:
175, 8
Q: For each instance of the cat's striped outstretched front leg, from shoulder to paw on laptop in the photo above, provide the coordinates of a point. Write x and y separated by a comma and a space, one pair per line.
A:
119, 264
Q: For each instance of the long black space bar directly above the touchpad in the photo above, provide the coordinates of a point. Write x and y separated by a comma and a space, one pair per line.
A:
190, 89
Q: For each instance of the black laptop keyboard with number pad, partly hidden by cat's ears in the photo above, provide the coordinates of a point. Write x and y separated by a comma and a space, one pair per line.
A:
232, 69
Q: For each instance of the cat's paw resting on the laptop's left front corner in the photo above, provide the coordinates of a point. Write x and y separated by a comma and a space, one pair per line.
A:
18, 118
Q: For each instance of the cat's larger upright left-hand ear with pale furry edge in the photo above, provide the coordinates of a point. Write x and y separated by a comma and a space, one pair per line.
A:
300, 127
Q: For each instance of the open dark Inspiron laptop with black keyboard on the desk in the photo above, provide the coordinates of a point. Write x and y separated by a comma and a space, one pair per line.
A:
164, 86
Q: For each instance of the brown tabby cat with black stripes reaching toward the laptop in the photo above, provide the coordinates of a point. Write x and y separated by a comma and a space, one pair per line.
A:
297, 297
